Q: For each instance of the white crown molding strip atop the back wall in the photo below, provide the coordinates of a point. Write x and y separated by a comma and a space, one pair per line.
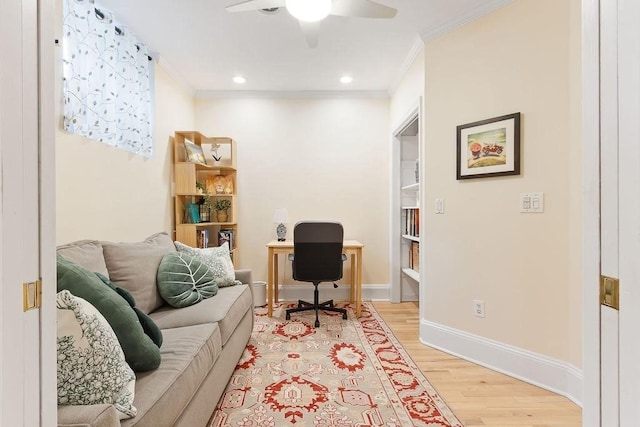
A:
288, 94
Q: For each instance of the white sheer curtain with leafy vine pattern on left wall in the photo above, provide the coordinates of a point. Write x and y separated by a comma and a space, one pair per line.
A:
107, 84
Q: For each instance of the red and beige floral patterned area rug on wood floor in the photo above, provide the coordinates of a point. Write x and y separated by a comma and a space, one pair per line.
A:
345, 373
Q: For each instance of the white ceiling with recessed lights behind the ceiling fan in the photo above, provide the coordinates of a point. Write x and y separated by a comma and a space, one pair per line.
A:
204, 46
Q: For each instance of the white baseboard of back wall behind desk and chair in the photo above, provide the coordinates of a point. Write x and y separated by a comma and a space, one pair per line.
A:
305, 292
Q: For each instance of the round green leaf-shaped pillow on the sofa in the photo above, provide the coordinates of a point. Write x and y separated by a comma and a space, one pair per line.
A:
184, 280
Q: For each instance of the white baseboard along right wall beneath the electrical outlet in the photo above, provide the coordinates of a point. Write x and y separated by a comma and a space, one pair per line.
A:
551, 374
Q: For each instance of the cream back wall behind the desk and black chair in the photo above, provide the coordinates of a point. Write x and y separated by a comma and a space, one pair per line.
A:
319, 158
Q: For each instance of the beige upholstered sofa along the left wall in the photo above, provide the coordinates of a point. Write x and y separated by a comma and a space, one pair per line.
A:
201, 343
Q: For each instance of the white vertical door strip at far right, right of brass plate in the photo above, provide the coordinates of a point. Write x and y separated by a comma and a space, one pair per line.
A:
629, 207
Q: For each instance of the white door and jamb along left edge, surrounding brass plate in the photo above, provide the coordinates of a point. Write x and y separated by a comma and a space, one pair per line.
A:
27, 338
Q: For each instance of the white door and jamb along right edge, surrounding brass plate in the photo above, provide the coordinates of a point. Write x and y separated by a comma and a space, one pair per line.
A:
611, 104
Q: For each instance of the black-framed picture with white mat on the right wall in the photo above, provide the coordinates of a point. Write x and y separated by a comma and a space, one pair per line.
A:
489, 147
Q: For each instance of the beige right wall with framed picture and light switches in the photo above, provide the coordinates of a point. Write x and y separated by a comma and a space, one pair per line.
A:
524, 266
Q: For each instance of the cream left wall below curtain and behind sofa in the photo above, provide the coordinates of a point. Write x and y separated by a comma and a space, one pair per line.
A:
109, 194
